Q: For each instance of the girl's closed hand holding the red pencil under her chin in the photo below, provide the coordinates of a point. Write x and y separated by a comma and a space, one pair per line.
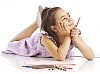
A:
75, 34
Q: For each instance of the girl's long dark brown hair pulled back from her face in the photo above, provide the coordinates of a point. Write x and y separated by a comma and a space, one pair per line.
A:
48, 19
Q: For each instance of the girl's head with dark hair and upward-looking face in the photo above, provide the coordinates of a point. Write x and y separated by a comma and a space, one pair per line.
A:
49, 18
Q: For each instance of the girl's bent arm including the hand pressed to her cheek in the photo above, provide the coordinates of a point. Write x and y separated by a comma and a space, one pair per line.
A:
63, 33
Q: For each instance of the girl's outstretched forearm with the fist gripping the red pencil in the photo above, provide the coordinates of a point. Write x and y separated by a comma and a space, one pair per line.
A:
85, 50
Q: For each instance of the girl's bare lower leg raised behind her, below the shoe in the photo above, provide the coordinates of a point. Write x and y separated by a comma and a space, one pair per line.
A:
26, 32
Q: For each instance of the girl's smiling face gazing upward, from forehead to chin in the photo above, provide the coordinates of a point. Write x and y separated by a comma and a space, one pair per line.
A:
62, 15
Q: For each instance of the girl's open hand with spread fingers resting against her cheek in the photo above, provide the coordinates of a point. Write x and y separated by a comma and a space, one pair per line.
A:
62, 29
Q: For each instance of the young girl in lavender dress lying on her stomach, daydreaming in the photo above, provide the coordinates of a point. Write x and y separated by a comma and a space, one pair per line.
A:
57, 37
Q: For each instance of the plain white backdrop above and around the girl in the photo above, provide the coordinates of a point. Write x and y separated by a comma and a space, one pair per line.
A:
15, 15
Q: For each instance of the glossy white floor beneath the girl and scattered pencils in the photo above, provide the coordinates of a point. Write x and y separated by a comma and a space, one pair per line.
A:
13, 64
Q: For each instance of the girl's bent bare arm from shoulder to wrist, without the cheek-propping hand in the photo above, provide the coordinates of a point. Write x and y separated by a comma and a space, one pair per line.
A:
58, 53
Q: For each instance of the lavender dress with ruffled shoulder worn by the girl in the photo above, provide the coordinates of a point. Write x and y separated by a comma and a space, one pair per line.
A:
31, 46
